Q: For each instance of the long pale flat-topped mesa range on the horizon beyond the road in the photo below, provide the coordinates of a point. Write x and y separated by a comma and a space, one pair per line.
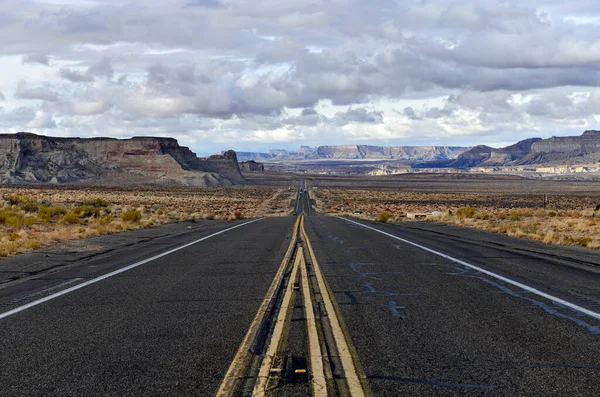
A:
358, 152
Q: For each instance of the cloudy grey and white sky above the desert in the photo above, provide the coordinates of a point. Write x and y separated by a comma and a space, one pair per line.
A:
253, 75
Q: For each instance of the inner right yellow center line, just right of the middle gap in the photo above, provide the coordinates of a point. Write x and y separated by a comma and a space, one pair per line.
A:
319, 384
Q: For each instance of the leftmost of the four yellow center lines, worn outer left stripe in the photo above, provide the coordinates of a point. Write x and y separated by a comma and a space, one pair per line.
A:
241, 359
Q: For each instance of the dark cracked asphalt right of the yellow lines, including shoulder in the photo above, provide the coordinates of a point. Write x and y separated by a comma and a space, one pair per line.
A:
423, 325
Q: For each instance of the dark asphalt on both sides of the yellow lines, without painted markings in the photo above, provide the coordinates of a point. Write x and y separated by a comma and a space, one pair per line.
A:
421, 324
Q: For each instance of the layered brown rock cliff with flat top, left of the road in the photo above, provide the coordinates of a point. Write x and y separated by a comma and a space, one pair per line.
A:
26, 157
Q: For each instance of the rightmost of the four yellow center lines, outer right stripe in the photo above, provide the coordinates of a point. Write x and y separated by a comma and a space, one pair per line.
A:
346, 357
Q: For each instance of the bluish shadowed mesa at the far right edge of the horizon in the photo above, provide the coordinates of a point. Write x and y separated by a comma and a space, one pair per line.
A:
569, 150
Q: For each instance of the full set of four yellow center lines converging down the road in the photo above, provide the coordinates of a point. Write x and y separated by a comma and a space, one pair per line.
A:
322, 384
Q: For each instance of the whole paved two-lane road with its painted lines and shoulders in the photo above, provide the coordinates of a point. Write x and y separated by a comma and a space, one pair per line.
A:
364, 308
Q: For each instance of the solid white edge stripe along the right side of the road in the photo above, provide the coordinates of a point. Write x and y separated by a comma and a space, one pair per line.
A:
573, 306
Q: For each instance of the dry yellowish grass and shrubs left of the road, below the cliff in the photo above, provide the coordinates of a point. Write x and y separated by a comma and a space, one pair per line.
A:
36, 217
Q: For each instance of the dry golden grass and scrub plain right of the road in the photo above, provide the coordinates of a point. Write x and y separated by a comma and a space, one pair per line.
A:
566, 220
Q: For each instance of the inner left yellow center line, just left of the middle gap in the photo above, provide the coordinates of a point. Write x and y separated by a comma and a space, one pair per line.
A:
282, 316
